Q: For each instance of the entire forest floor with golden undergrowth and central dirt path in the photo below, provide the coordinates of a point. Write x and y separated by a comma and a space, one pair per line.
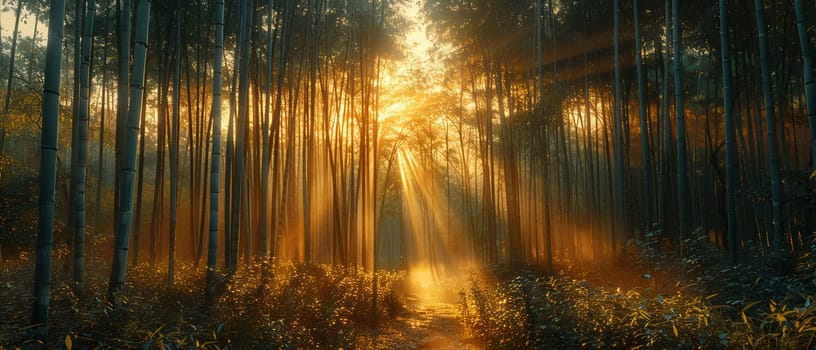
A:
699, 300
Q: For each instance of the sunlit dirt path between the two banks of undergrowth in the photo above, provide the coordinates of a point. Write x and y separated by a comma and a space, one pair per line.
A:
425, 325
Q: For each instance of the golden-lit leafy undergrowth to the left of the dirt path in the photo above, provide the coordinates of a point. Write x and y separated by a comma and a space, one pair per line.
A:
302, 306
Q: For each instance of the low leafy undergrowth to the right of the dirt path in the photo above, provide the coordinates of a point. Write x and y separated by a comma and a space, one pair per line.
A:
562, 312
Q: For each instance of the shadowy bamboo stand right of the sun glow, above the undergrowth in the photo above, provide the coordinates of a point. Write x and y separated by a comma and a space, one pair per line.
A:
687, 168
